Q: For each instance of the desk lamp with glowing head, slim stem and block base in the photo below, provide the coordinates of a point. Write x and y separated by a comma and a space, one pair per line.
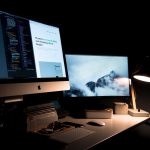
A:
141, 74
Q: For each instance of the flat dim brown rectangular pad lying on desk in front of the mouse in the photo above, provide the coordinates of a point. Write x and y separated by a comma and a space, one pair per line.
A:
71, 135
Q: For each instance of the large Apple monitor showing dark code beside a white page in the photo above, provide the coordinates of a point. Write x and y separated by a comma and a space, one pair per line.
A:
31, 57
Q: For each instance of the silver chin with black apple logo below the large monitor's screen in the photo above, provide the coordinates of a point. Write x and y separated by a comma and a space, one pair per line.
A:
9, 90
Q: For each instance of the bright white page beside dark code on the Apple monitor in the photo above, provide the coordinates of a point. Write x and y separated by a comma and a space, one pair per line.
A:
47, 50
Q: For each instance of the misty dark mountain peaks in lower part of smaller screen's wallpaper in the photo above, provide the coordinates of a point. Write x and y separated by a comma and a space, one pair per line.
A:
110, 85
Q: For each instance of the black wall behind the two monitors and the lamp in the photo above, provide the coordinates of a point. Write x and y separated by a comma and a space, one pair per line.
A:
96, 28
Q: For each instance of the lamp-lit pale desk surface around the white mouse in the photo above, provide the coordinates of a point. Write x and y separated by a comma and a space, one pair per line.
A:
114, 126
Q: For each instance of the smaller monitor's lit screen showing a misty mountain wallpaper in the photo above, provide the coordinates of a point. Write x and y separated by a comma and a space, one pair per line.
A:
97, 75
